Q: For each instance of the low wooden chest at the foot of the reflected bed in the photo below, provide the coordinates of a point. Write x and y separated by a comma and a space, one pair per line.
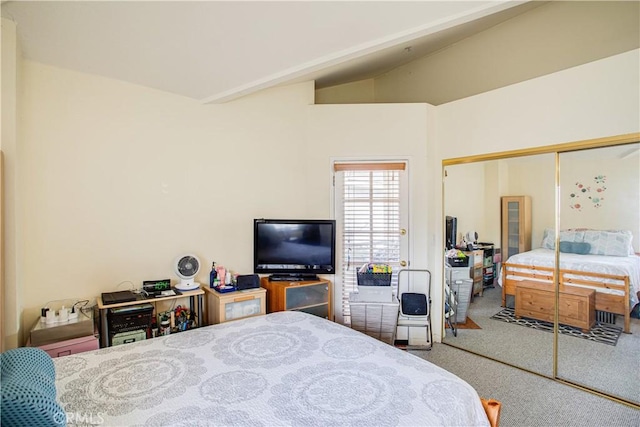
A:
577, 306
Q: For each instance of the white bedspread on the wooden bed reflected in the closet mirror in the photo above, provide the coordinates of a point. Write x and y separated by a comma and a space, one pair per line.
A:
623, 266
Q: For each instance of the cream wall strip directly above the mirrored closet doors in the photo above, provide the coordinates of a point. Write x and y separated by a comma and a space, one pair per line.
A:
594, 100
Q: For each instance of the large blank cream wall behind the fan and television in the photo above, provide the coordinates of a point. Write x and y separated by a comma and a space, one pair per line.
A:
119, 180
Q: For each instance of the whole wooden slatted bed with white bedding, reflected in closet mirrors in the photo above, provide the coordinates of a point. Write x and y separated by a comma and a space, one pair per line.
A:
612, 270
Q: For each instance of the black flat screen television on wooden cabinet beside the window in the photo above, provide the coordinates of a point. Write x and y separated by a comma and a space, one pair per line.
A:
294, 249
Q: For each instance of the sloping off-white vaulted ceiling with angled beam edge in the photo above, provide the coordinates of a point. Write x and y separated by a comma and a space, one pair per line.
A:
215, 51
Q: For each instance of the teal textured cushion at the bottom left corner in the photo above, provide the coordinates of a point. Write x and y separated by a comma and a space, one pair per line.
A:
29, 389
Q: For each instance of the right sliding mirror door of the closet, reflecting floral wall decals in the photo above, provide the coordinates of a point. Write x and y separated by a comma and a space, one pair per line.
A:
599, 227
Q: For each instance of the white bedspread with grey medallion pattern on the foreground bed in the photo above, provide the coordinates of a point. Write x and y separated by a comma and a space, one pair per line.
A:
282, 369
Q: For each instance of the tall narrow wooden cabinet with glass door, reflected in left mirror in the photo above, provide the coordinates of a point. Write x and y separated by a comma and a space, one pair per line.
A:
516, 225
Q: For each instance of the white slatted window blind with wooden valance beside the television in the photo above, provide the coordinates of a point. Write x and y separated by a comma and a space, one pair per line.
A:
369, 219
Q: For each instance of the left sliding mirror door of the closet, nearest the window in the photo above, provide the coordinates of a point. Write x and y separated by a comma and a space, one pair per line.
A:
508, 203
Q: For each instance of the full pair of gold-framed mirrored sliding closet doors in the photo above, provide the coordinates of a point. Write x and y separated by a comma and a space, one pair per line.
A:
546, 215
